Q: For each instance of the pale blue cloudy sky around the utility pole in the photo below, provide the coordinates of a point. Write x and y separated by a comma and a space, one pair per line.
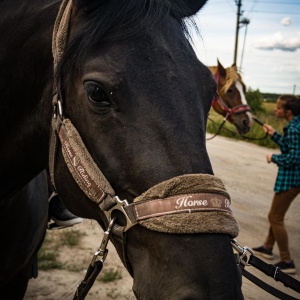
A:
268, 56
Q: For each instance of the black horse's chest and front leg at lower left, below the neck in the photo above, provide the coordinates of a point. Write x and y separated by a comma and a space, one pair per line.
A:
23, 226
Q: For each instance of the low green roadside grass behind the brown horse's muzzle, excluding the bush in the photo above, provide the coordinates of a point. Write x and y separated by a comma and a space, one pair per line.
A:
256, 134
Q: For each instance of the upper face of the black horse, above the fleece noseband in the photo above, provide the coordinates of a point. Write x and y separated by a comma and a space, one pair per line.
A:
125, 89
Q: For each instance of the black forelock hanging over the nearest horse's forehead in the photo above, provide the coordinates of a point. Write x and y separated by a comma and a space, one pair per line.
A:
119, 20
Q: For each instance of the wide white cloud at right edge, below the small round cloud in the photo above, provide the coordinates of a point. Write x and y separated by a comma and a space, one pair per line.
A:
280, 42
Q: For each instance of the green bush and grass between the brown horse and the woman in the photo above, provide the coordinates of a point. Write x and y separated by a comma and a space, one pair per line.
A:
262, 106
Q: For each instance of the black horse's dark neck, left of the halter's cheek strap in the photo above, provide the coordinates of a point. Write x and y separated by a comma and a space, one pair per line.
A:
26, 96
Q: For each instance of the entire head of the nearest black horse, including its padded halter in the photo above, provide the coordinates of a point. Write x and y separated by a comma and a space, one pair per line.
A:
131, 108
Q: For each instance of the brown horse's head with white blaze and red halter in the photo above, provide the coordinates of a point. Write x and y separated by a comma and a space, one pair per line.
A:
231, 102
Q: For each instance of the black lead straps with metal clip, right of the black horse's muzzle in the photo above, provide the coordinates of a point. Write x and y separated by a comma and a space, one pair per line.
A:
246, 258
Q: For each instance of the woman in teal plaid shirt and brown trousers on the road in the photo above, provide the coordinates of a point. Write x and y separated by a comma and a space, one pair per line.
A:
287, 184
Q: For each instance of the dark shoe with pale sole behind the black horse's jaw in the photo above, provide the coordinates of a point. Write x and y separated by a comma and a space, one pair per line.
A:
60, 214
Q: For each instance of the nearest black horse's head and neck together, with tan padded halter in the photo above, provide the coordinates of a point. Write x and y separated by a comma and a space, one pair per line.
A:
138, 99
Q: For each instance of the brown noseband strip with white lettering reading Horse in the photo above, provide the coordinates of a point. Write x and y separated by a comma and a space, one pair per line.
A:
186, 203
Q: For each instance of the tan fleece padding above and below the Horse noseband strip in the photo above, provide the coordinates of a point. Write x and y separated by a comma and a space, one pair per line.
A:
187, 223
